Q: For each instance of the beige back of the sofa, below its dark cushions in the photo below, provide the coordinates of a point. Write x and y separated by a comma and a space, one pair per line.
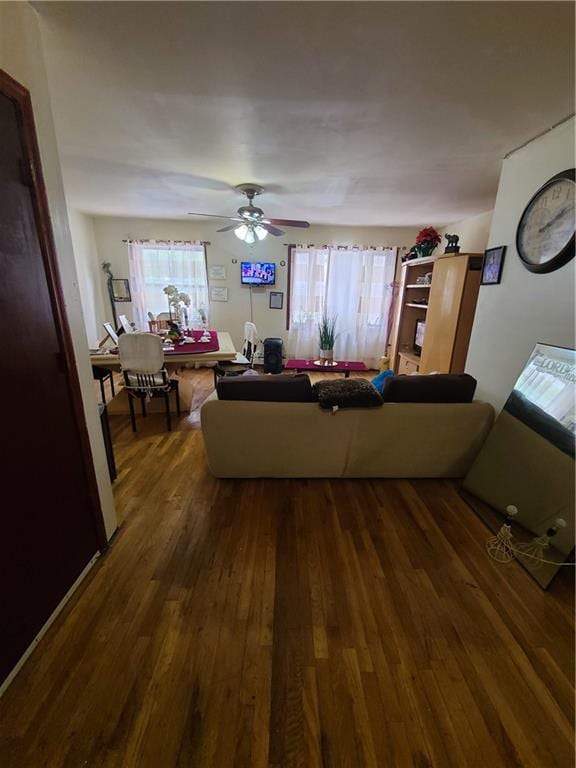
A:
275, 439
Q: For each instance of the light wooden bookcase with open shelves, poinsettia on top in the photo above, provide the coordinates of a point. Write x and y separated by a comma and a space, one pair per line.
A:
449, 313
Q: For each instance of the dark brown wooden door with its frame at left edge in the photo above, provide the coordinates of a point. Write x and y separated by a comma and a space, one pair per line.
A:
49, 529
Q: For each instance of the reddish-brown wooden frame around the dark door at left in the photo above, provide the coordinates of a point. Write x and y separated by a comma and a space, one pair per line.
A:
20, 96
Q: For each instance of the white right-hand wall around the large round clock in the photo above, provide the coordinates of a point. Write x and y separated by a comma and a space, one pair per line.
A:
526, 307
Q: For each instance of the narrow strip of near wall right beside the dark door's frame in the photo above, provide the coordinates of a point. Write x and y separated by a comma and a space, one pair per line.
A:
21, 57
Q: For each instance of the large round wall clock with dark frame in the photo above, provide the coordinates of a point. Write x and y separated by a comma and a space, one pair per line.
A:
545, 235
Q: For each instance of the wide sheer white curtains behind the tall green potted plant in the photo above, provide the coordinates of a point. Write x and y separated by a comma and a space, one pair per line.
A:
356, 285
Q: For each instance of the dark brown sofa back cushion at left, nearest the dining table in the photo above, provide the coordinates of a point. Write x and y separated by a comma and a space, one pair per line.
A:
267, 389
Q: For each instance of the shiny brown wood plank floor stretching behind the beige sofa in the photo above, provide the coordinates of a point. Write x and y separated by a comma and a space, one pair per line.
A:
309, 623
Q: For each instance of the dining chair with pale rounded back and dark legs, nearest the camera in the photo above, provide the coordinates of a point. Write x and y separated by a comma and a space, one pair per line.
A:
142, 362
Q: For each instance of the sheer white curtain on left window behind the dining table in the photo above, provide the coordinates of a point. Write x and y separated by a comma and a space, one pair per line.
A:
154, 265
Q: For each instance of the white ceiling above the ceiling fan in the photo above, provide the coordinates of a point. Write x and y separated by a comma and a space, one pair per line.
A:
348, 113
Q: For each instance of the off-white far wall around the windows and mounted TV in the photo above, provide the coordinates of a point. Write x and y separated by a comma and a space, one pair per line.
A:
224, 247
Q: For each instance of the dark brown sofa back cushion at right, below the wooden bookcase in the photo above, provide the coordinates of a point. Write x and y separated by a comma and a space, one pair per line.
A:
434, 388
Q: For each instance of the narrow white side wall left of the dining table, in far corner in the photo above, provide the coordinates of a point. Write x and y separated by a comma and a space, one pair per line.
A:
89, 274
